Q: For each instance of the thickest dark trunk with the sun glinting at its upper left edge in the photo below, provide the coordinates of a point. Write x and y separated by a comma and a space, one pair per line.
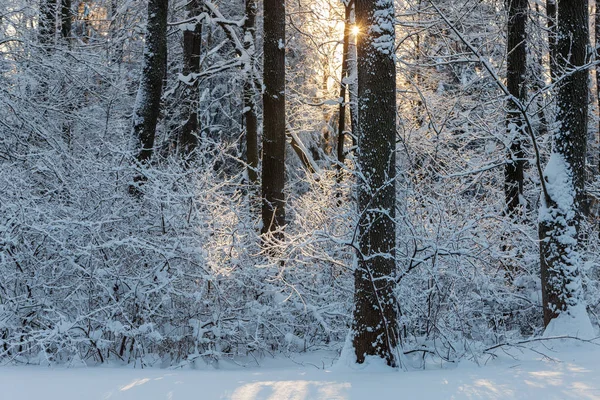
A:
375, 312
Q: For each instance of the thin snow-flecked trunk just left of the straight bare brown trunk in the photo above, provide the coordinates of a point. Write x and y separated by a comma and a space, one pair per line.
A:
249, 95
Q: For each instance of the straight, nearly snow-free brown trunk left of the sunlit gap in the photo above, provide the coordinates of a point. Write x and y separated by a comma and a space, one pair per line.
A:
273, 165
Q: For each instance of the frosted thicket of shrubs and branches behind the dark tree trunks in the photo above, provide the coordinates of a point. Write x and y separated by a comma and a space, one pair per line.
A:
90, 271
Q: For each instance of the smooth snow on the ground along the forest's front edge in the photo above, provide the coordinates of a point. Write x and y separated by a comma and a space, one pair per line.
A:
563, 372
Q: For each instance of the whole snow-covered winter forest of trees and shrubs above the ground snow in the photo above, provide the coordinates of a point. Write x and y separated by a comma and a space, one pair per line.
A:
188, 182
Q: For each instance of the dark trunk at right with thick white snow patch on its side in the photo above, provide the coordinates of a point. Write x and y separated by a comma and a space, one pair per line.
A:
561, 213
